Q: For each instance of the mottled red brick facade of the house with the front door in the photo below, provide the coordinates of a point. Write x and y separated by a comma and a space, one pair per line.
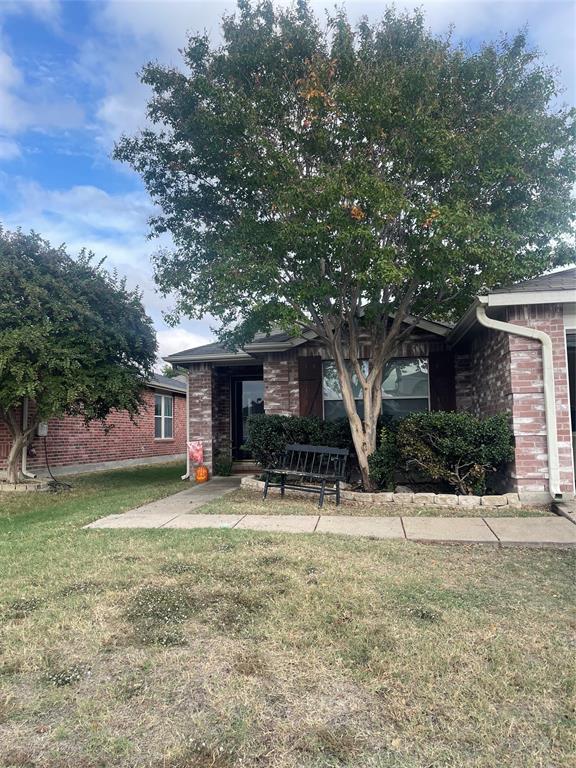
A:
489, 371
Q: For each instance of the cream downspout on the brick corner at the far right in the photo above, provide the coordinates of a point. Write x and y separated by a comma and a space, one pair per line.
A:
549, 394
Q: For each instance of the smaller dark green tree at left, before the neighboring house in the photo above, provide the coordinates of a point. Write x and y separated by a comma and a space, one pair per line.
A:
73, 339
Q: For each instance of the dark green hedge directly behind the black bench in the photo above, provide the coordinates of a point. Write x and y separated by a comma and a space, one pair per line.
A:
269, 435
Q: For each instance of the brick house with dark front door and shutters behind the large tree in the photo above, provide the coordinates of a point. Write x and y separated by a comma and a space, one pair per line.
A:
513, 352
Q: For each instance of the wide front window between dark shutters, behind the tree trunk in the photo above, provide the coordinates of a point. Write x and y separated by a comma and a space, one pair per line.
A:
404, 388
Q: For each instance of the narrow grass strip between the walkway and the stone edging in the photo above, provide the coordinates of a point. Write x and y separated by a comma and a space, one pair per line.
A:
247, 500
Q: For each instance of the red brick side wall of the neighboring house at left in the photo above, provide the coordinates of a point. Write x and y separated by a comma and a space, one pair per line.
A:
70, 441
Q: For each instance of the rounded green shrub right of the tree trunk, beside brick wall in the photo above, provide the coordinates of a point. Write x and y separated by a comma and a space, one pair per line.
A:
457, 448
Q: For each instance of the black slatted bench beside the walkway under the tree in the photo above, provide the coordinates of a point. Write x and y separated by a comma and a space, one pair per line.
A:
314, 465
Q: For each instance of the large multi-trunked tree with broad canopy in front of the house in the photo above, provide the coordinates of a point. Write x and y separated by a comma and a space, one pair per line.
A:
351, 181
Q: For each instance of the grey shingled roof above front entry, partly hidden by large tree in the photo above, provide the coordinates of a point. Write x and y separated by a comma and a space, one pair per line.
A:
276, 341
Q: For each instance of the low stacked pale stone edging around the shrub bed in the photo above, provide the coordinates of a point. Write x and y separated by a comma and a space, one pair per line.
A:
511, 500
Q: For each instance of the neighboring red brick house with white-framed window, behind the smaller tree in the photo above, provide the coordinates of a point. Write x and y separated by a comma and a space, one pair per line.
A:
158, 433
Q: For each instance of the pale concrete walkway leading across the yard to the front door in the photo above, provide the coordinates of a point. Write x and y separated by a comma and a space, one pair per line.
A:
181, 510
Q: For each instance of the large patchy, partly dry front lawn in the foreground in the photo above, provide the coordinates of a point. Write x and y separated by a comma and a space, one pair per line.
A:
229, 649
